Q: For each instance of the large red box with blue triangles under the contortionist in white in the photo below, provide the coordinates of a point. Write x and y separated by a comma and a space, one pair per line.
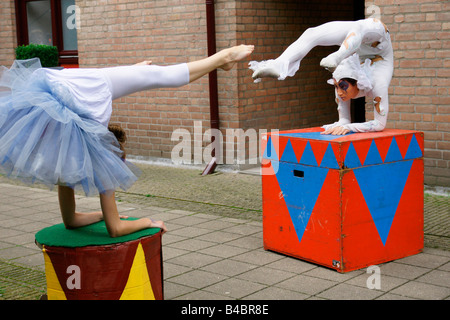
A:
344, 202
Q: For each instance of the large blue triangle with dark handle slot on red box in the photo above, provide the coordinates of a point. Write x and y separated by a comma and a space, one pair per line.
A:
300, 193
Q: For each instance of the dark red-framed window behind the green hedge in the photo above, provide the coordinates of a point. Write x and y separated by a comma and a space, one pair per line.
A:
51, 22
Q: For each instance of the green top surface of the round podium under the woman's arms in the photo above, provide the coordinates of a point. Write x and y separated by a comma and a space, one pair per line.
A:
92, 235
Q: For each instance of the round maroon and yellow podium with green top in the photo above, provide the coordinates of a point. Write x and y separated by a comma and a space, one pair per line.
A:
87, 264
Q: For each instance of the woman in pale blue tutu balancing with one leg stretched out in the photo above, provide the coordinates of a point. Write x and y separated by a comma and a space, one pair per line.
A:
54, 129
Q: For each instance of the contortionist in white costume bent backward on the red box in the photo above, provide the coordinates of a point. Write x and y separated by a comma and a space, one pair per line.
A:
362, 66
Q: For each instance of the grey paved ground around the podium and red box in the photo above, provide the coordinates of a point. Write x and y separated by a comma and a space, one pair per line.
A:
214, 247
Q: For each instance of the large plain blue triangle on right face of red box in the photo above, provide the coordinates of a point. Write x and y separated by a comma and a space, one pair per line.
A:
382, 188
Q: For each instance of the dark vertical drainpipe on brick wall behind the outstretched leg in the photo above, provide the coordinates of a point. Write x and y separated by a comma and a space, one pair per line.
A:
213, 91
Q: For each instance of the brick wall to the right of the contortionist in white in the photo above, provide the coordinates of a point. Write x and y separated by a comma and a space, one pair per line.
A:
419, 93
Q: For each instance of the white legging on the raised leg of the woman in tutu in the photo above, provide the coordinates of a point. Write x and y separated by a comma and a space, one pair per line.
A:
126, 80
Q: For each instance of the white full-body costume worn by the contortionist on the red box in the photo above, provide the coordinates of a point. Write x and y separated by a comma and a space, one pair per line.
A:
369, 39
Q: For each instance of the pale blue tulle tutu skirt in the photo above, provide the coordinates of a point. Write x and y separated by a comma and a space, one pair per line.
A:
47, 137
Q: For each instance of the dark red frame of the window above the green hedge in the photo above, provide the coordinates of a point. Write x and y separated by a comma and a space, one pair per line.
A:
66, 57
